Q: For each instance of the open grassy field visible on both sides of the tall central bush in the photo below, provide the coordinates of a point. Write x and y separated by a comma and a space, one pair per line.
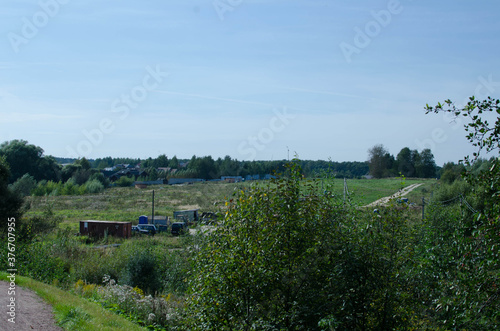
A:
127, 204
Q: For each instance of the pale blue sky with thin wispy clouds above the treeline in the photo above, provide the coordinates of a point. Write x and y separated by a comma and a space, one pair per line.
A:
249, 79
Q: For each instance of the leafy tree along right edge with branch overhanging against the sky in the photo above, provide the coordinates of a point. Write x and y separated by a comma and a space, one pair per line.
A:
476, 277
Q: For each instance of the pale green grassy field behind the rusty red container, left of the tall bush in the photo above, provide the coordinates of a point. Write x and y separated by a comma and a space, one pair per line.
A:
127, 204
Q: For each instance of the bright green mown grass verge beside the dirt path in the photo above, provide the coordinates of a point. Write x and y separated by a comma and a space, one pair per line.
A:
72, 312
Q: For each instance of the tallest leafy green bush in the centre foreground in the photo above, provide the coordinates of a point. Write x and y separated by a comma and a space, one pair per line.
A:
259, 269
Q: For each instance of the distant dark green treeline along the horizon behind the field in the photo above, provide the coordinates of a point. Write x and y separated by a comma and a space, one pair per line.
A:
26, 159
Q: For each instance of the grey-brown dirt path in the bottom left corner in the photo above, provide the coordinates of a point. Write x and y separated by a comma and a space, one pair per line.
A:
31, 312
